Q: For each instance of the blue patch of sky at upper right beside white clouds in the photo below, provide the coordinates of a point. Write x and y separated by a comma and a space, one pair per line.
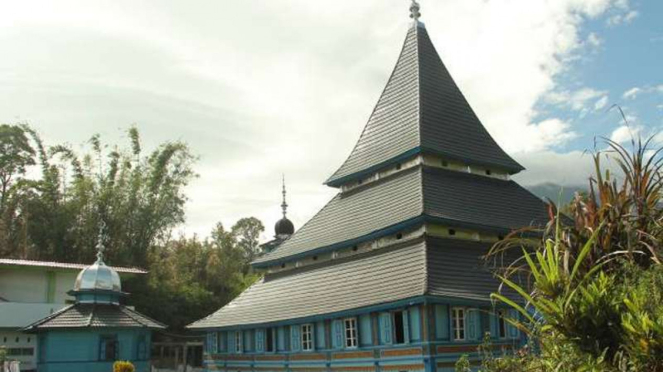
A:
627, 56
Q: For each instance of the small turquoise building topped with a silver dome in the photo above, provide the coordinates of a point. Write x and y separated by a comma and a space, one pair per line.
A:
96, 330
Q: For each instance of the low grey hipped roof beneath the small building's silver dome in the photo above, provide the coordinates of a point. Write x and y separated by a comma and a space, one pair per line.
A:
95, 316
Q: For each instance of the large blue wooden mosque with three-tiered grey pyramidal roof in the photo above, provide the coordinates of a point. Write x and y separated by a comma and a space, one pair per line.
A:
389, 275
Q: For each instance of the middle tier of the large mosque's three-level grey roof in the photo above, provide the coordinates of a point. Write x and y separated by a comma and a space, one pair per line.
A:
453, 198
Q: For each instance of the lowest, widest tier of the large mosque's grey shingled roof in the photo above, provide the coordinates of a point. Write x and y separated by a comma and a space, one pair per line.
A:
438, 267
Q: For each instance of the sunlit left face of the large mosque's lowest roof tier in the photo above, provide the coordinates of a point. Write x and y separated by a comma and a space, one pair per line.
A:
381, 276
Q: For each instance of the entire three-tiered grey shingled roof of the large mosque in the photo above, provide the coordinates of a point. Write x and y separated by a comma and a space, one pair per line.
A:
424, 194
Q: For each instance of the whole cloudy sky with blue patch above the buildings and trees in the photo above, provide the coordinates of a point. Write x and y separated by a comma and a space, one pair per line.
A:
286, 86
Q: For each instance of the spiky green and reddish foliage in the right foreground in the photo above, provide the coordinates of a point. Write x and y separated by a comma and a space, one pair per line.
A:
595, 296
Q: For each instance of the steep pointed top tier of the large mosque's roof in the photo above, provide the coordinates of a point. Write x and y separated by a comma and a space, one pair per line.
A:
422, 109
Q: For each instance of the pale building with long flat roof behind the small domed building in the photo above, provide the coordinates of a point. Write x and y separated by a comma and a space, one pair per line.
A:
29, 291
